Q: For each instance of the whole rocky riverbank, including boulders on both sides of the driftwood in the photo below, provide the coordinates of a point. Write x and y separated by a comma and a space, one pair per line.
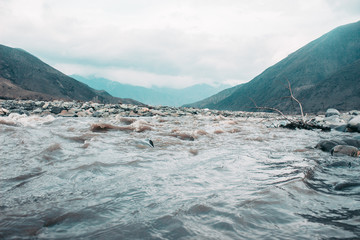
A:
345, 122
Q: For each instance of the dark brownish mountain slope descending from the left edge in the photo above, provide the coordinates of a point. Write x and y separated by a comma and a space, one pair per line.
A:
23, 76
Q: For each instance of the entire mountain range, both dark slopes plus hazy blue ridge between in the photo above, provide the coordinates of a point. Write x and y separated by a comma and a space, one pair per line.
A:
323, 74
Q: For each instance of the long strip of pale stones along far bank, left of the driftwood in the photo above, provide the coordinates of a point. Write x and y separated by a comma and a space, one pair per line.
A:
90, 109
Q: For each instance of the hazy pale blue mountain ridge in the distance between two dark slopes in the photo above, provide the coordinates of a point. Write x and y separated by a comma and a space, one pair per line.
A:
154, 95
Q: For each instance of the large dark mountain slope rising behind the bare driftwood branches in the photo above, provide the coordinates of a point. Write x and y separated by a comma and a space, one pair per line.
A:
324, 73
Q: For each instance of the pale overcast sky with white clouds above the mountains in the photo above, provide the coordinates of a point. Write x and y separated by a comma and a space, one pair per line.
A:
167, 42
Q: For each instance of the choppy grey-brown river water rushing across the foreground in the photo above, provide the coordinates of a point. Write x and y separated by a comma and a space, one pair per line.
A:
206, 177
